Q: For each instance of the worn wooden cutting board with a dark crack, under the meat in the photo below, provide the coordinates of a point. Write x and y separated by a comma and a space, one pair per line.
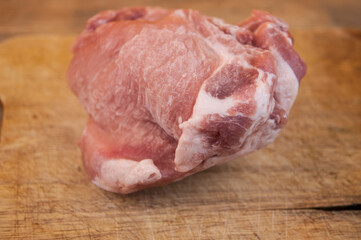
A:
306, 185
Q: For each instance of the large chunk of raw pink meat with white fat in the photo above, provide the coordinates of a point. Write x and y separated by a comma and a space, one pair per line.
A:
170, 93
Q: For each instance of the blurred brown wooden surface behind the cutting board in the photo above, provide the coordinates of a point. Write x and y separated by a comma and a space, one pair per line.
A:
69, 16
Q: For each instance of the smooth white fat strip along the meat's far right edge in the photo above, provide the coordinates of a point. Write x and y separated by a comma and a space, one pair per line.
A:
287, 83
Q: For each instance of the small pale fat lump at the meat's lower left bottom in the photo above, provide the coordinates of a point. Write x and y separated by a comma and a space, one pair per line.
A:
123, 175
